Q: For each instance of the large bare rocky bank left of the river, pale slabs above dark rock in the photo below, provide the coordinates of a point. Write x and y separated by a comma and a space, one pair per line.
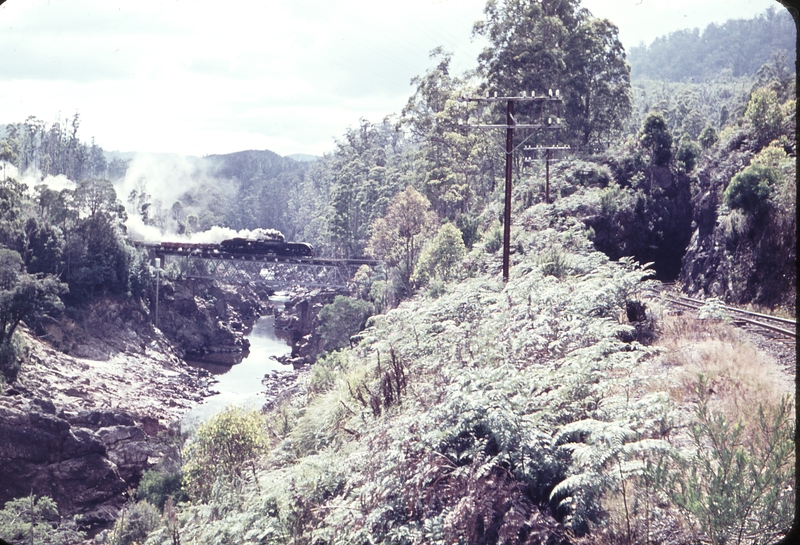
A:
83, 427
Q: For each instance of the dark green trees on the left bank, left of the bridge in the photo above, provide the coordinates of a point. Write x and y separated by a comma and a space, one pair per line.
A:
57, 248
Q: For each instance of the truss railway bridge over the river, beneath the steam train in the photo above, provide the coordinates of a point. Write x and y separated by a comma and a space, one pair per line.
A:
275, 271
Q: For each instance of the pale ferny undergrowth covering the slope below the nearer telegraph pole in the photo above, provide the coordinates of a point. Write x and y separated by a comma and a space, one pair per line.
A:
517, 413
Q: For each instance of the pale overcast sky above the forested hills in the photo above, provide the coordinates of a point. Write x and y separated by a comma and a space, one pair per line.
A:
187, 76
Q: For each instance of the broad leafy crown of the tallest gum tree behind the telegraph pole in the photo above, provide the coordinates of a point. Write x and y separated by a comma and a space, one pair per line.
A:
536, 45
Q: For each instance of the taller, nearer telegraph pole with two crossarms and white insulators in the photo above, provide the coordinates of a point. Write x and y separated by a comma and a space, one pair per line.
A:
509, 126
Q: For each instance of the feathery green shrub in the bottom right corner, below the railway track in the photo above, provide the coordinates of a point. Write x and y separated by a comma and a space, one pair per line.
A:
740, 491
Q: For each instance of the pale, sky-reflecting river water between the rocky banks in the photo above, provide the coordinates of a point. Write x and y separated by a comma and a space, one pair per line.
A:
240, 383
